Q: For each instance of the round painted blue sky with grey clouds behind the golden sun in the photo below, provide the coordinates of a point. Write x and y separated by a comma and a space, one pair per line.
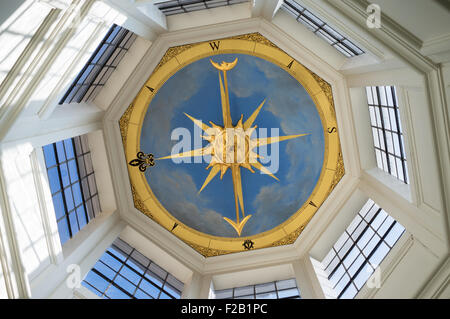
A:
195, 91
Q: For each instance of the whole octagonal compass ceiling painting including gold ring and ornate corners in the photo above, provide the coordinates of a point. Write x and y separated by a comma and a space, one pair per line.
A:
243, 145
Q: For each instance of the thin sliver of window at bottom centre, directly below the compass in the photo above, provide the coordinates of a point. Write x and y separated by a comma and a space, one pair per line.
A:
282, 289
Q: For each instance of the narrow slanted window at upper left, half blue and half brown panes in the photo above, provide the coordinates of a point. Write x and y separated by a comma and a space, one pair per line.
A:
100, 66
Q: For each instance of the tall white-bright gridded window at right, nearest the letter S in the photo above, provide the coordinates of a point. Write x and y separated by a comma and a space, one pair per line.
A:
387, 131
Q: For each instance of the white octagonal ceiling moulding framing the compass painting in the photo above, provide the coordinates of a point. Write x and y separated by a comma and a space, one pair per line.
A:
163, 238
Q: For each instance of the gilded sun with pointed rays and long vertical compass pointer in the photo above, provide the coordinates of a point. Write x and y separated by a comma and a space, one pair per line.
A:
231, 146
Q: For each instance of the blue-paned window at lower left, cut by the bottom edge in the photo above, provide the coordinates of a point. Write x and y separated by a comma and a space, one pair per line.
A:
124, 273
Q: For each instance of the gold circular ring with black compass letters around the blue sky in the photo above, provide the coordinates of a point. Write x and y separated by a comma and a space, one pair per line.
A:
294, 224
